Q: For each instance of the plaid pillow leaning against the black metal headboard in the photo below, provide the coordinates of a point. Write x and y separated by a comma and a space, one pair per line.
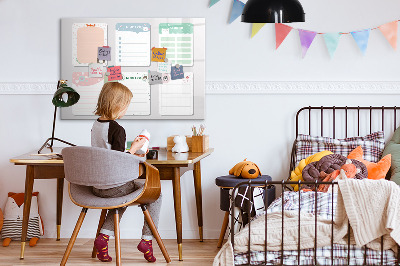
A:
372, 144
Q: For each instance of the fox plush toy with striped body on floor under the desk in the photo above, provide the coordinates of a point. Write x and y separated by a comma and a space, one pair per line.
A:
13, 215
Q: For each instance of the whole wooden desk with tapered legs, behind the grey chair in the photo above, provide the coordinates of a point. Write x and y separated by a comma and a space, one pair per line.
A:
171, 167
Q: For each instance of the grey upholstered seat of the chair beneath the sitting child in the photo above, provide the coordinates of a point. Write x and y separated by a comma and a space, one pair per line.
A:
83, 195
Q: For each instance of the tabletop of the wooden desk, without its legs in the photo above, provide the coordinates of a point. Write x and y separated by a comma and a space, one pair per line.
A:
164, 157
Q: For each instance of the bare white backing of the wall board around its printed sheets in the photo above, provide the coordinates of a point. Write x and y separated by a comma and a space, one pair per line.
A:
198, 68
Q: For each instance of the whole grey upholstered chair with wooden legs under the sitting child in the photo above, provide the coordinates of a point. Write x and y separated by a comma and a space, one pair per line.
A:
85, 167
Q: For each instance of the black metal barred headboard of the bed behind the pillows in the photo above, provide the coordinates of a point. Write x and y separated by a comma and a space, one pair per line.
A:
344, 121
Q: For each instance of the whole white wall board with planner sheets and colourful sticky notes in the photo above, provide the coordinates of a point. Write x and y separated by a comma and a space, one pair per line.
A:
132, 51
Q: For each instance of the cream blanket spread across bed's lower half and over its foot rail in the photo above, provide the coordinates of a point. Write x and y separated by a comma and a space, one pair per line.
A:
373, 208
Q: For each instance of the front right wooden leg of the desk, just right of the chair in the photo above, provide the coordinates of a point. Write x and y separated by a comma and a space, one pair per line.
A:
176, 182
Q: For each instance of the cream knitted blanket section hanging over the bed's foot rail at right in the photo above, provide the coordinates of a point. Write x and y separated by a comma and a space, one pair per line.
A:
373, 209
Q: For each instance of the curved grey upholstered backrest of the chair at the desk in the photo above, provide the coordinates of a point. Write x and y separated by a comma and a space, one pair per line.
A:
92, 166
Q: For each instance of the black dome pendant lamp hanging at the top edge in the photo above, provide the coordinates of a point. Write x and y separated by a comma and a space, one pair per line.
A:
273, 11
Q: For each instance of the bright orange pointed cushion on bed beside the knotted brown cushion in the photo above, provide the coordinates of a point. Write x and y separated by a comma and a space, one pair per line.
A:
375, 170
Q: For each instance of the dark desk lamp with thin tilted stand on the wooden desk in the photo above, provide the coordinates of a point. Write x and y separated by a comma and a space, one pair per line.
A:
58, 101
